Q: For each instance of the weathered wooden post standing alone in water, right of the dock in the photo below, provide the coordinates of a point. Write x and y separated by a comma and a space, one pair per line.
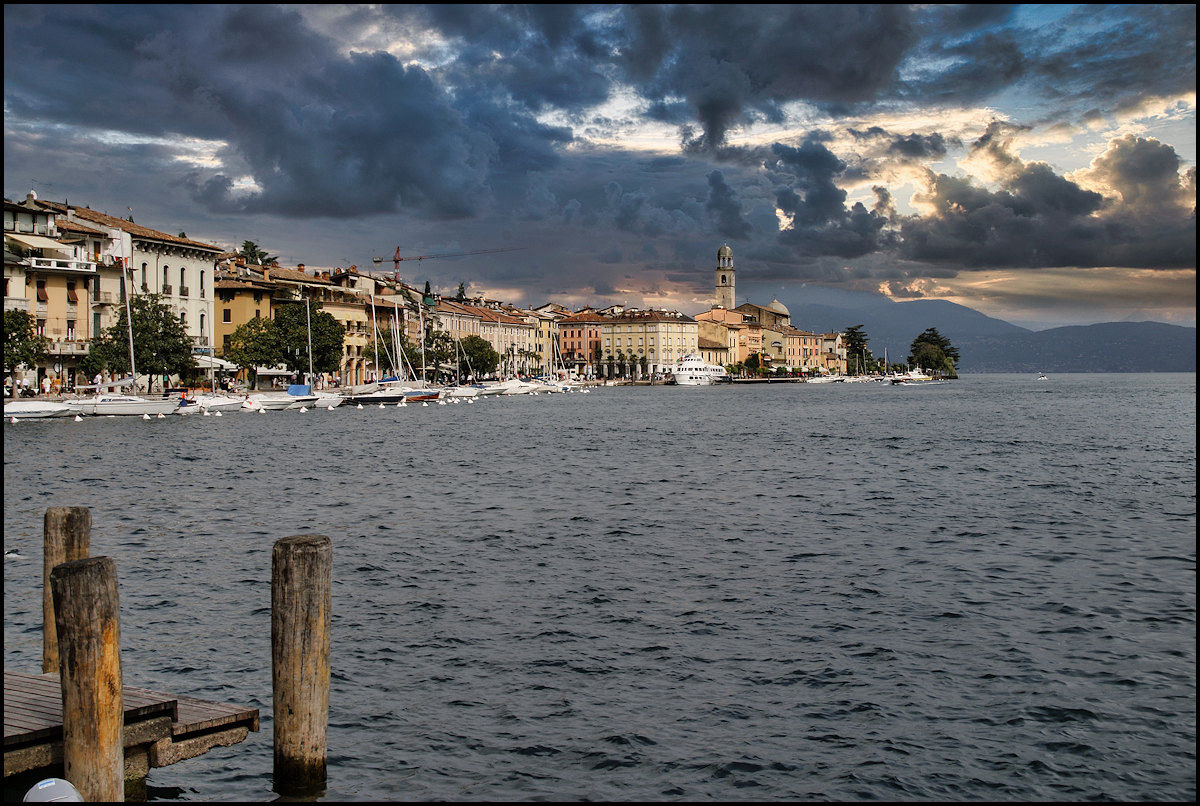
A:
302, 593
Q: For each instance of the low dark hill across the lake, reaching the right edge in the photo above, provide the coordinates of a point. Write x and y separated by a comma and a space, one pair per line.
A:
1111, 347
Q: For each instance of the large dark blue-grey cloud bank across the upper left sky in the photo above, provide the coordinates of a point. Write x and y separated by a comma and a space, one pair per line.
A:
319, 133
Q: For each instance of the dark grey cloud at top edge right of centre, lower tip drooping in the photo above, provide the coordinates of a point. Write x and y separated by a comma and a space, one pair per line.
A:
734, 64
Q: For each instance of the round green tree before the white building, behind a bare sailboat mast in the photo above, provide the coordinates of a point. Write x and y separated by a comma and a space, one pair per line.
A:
161, 345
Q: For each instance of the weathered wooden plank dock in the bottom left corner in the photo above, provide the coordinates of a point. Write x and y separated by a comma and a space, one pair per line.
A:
160, 729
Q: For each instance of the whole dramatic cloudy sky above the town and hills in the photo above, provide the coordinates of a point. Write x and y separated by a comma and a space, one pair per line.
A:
1034, 163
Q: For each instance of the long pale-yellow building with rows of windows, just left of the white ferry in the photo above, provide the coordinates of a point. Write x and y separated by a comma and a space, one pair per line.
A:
647, 342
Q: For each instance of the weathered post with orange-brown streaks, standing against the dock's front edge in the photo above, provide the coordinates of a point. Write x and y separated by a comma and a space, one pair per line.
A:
87, 613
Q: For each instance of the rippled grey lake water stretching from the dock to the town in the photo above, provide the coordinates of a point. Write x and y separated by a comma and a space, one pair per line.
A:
975, 591
